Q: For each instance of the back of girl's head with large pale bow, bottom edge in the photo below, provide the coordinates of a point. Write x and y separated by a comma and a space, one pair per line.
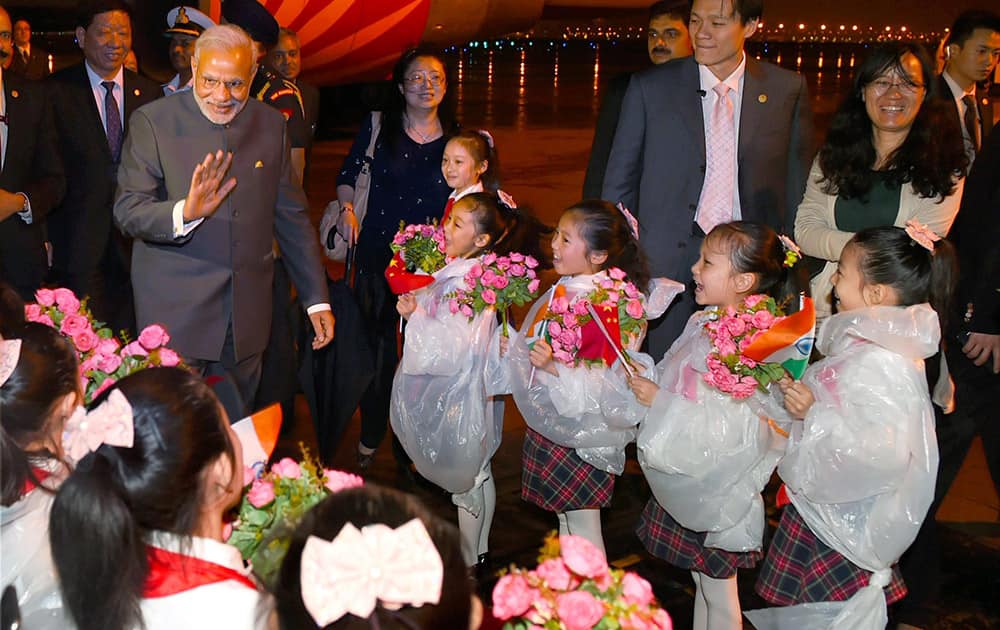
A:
373, 557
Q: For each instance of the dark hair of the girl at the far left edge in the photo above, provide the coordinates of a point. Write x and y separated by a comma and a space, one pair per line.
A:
46, 372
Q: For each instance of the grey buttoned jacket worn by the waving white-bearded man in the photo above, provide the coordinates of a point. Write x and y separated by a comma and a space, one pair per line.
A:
221, 272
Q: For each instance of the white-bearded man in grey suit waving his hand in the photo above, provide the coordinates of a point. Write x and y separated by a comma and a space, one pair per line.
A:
205, 185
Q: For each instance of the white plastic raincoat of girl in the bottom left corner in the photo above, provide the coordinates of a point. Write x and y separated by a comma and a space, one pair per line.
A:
26, 561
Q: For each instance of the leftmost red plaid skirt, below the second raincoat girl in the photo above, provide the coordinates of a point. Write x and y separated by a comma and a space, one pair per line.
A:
554, 478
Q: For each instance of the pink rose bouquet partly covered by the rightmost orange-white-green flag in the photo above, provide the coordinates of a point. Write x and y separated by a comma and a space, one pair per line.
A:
732, 330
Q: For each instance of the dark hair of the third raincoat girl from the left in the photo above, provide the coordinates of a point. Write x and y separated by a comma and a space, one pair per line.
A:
755, 248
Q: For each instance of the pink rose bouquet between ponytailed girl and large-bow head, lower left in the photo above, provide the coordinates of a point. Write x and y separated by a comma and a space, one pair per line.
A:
273, 503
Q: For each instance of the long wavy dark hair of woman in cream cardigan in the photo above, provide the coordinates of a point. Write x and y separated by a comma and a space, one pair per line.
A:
930, 159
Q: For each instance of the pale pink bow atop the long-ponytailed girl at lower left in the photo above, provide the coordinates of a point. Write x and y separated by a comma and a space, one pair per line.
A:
110, 423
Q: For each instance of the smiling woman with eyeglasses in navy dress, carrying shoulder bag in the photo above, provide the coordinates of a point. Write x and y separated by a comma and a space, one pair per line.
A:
406, 185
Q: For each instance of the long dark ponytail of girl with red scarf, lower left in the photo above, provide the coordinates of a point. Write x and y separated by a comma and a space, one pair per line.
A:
97, 547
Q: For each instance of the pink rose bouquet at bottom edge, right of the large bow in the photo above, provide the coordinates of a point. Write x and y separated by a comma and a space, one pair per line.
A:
573, 588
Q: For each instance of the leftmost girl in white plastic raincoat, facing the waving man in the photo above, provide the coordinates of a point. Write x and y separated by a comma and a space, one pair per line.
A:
440, 410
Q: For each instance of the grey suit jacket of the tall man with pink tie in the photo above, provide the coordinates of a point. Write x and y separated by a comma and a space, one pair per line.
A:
657, 164
